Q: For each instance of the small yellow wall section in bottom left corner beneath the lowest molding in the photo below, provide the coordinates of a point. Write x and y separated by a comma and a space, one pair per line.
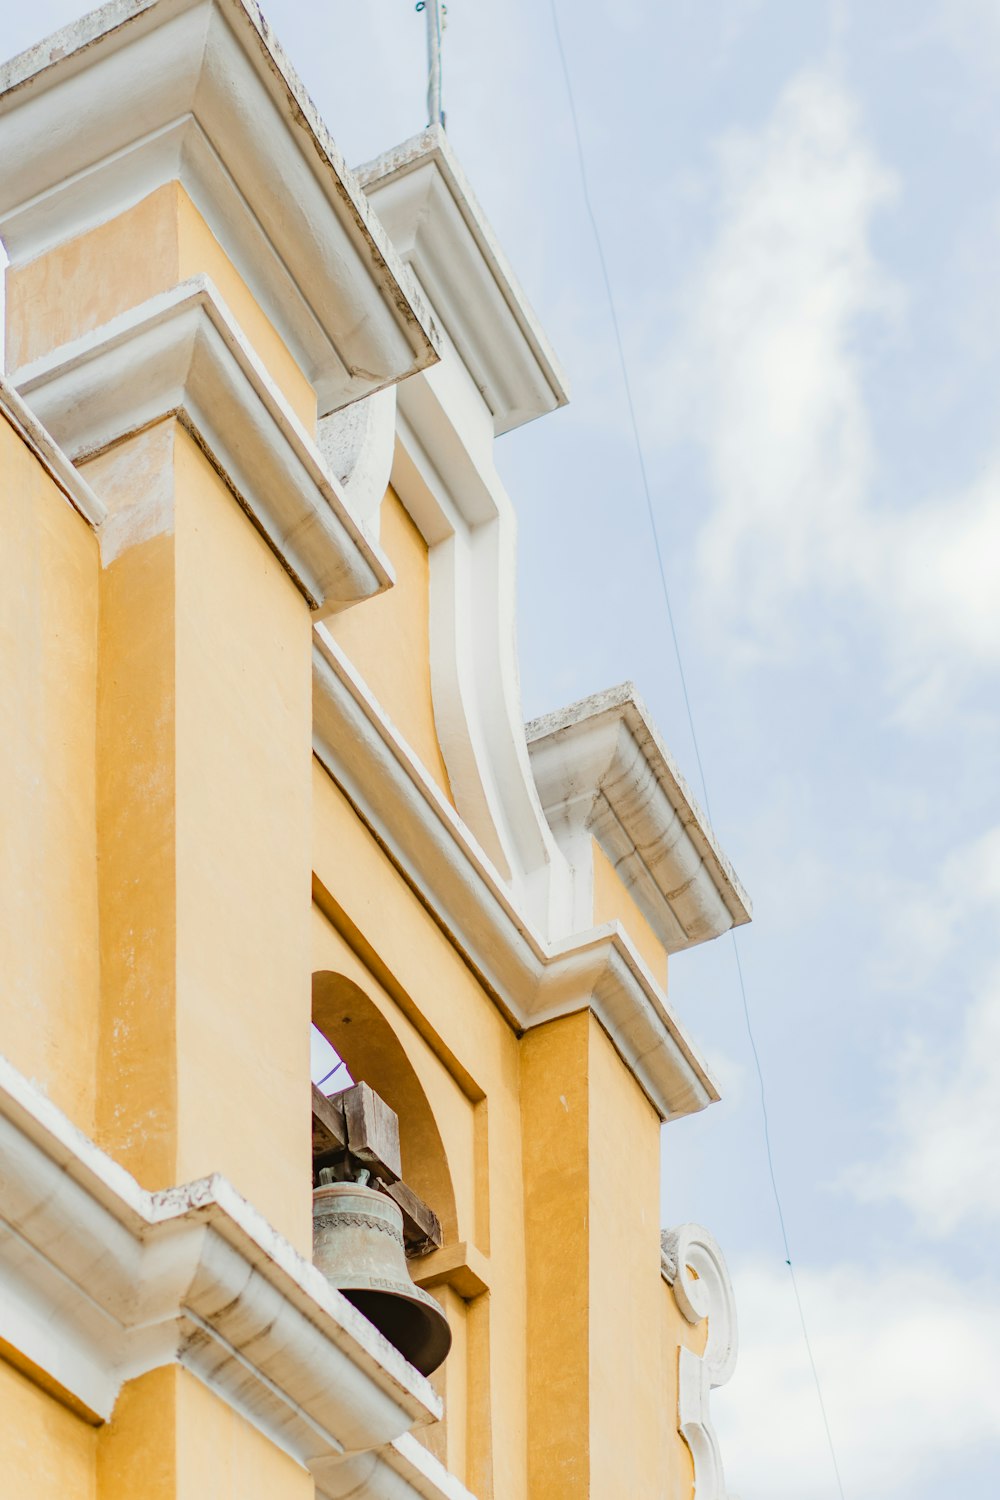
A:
46, 1451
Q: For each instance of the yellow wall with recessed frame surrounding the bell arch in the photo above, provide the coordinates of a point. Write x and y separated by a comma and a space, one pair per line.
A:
464, 1052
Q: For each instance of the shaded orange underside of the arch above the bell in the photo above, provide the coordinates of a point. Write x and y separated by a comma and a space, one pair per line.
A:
373, 1054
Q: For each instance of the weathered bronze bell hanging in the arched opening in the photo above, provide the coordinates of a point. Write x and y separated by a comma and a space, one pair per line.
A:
358, 1240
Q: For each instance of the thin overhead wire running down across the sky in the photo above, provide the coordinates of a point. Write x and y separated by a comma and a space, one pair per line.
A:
654, 529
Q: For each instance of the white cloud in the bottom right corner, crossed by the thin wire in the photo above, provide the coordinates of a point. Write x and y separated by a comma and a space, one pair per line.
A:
911, 1370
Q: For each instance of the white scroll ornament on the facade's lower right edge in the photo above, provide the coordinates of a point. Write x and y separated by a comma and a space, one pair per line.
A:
695, 1267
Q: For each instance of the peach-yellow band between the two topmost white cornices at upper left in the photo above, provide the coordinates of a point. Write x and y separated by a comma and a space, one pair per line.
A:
160, 242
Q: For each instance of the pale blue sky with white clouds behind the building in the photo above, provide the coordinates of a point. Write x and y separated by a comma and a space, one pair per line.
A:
801, 214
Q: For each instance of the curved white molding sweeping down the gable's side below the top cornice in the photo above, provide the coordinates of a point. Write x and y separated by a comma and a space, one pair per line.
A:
457, 497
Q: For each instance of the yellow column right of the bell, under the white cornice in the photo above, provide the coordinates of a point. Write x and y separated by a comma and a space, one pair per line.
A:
596, 1376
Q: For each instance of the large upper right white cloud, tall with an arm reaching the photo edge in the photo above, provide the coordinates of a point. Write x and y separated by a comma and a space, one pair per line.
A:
771, 376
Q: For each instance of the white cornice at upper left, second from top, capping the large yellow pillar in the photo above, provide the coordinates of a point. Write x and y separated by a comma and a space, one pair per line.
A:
182, 353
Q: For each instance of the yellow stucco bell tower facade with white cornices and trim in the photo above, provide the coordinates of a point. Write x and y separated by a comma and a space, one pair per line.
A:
265, 769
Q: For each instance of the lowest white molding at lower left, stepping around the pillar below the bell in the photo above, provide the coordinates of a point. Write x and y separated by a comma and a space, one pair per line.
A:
103, 1282
